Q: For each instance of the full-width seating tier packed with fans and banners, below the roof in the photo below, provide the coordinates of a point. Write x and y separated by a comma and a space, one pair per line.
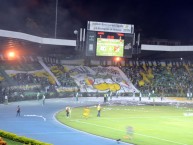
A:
18, 77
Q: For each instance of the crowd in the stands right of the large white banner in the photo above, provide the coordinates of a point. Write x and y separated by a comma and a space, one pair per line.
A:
167, 79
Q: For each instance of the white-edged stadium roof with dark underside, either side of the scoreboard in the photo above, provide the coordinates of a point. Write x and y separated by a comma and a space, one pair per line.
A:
27, 42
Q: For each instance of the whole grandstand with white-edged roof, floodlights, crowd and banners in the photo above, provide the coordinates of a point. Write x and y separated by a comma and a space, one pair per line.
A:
61, 68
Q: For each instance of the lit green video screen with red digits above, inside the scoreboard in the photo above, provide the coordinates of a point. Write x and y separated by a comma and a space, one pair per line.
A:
110, 44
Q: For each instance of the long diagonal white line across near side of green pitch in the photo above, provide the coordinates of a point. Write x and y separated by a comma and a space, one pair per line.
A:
134, 133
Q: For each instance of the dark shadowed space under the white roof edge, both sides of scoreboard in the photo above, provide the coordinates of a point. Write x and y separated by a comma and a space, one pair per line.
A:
31, 48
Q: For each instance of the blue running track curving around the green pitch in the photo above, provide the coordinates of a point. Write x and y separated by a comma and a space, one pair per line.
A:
37, 121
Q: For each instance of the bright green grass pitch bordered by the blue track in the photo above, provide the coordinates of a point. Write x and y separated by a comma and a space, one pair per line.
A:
152, 125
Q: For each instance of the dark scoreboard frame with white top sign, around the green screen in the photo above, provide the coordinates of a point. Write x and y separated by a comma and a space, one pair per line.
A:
109, 31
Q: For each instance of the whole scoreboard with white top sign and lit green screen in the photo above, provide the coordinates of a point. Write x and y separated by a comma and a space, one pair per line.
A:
109, 39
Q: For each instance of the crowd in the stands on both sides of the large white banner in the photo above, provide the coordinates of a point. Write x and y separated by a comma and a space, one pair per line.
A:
167, 80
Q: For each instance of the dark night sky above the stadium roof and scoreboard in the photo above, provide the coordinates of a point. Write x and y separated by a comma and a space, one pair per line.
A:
167, 19
